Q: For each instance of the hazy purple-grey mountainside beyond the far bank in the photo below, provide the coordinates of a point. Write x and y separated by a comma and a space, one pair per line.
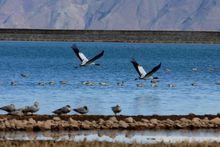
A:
111, 14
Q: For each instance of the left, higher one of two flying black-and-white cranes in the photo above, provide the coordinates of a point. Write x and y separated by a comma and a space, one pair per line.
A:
83, 59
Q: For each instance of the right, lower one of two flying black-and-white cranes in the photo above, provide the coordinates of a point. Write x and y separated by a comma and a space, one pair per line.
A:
142, 73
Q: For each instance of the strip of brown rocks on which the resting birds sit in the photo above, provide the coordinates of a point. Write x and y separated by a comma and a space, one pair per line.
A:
100, 122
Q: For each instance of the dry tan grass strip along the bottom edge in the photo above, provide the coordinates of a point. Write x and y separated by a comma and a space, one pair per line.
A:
100, 144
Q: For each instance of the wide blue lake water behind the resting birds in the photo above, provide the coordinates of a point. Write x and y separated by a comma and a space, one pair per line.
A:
55, 61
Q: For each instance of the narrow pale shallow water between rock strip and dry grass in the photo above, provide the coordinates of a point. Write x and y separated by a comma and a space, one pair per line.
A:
117, 136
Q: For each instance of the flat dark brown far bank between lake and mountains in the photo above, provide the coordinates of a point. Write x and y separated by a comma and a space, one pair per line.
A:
130, 36
